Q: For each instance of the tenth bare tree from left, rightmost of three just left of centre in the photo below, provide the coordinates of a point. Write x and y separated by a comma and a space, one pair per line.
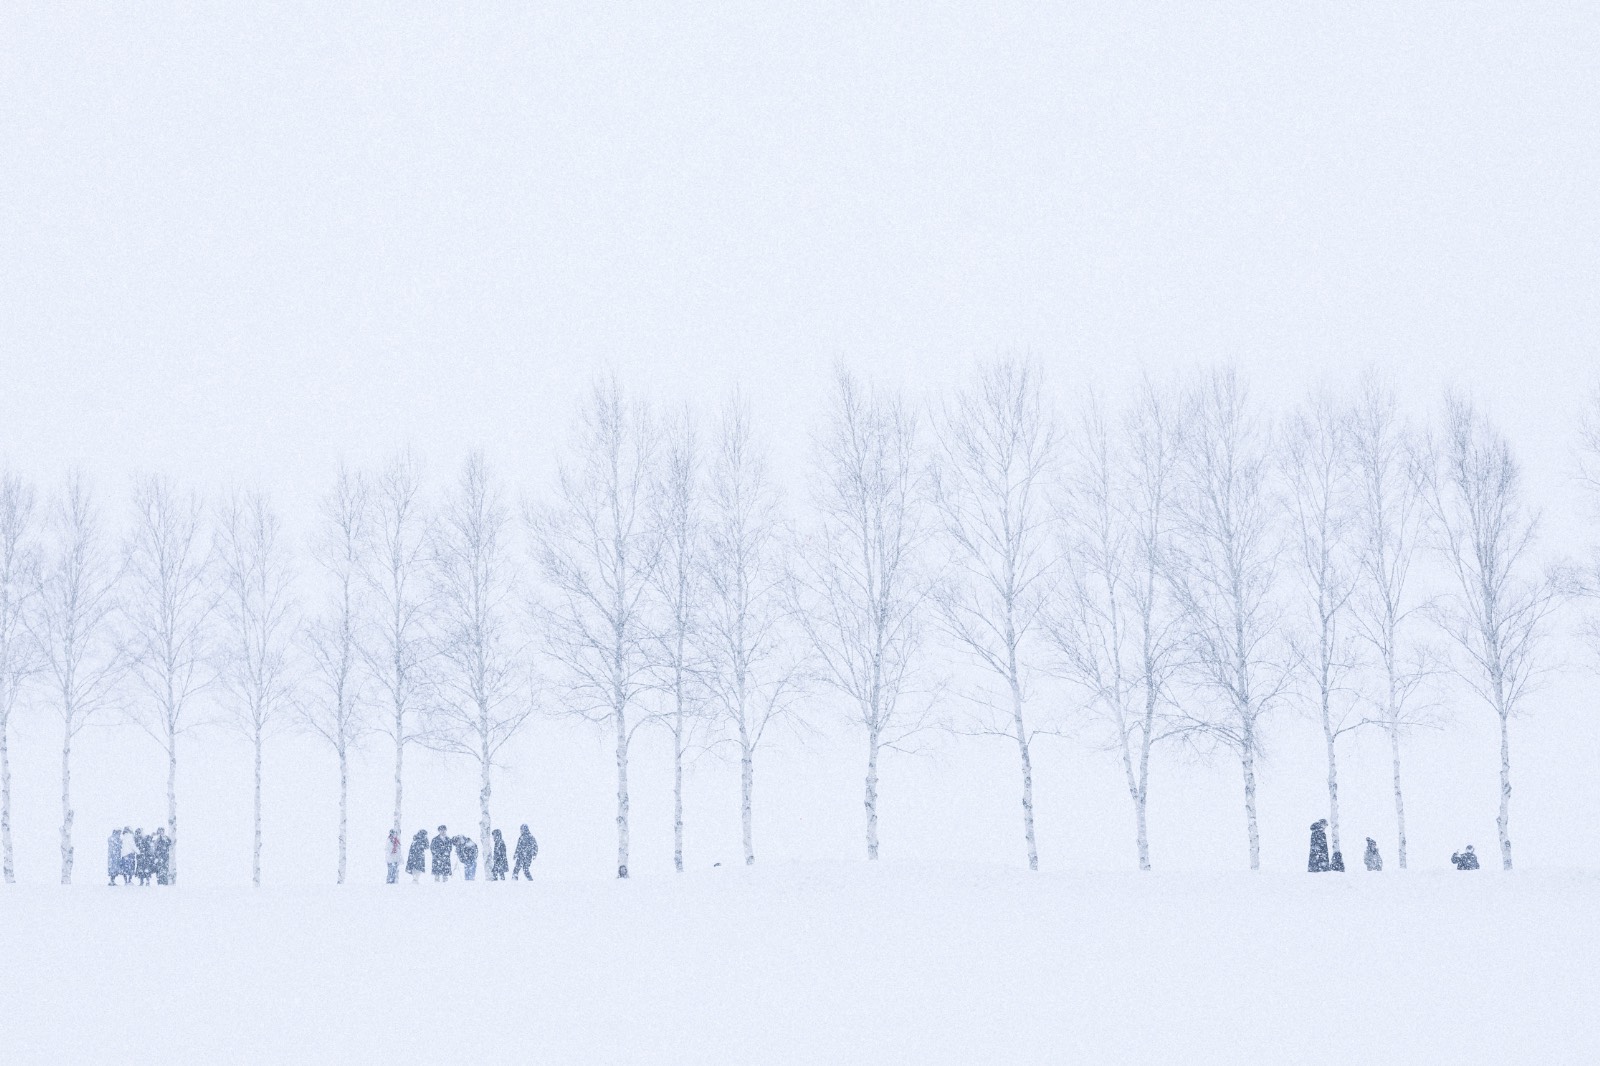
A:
751, 662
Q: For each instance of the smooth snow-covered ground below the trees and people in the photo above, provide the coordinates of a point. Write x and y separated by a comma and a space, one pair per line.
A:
814, 964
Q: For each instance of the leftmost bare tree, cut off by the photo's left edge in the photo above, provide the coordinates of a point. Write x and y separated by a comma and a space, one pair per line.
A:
18, 652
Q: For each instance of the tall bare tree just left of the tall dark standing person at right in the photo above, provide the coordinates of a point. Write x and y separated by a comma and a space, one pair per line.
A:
1225, 574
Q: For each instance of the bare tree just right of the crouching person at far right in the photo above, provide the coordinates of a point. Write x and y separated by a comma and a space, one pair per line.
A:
1498, 611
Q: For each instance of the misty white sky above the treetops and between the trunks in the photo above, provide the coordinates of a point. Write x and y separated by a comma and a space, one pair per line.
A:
242, 246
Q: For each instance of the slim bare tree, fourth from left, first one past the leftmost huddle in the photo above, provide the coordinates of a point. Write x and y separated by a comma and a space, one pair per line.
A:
260, 617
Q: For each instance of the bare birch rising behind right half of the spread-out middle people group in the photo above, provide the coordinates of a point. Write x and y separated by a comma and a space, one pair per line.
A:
484, 697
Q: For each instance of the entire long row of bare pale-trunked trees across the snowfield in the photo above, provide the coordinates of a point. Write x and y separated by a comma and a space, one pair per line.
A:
1183, 571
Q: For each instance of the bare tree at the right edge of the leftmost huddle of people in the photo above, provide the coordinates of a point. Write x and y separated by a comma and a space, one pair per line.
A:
170, 601
